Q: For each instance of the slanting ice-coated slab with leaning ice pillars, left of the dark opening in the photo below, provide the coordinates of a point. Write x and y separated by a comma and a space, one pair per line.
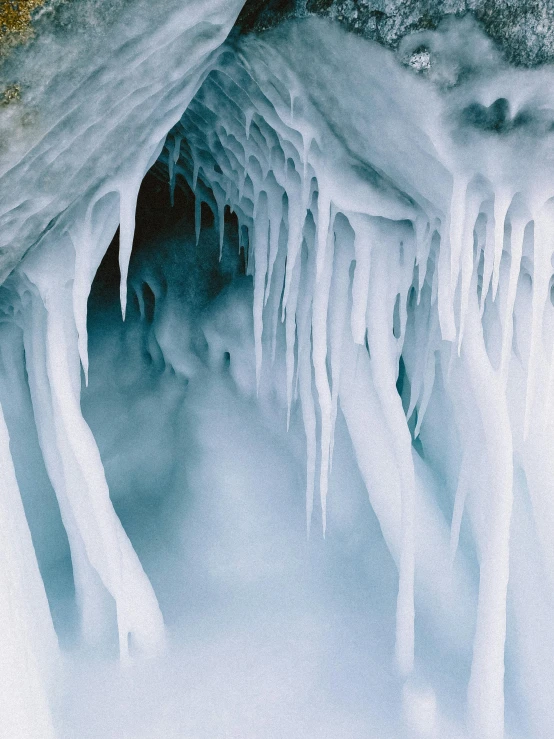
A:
93, 122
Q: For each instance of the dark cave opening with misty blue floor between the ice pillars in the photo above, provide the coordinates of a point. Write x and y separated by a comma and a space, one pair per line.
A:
209, 486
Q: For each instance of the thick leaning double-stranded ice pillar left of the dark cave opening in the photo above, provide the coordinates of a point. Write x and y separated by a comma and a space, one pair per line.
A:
103, 559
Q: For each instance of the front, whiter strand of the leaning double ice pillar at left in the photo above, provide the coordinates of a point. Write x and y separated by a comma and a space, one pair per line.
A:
106, 543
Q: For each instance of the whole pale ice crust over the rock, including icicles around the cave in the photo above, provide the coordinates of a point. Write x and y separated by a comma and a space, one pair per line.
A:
398, 234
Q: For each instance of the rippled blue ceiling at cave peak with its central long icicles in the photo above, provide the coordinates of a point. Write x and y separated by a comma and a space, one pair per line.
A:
311, 212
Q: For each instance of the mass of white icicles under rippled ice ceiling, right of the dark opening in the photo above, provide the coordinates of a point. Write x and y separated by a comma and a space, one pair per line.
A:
366, 278
